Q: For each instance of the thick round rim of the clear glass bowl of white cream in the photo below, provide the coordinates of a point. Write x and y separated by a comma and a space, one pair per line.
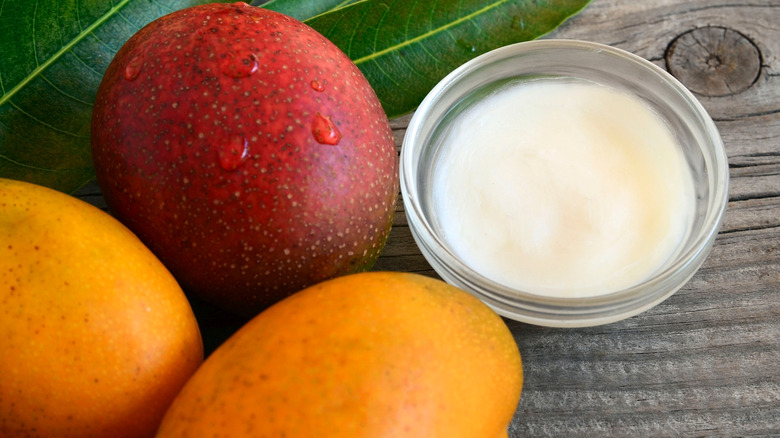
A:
585, 311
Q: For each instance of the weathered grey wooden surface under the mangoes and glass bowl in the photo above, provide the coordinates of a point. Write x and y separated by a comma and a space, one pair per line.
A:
706, 362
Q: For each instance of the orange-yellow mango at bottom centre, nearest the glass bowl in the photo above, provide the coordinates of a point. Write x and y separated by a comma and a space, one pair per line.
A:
367, 355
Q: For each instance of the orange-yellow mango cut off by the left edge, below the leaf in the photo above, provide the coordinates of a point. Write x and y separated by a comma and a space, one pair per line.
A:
96, 337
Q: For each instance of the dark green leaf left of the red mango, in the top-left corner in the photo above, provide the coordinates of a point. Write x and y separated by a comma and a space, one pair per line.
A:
53, 54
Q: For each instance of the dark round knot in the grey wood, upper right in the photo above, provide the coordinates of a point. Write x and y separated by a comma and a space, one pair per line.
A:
714, 61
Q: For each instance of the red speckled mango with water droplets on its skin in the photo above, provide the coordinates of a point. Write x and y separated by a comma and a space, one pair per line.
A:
185, 95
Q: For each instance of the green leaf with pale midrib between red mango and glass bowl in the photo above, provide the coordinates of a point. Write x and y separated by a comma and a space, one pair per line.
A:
404, 47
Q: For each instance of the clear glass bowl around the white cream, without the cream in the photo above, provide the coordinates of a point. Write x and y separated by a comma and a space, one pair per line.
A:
693, 128
